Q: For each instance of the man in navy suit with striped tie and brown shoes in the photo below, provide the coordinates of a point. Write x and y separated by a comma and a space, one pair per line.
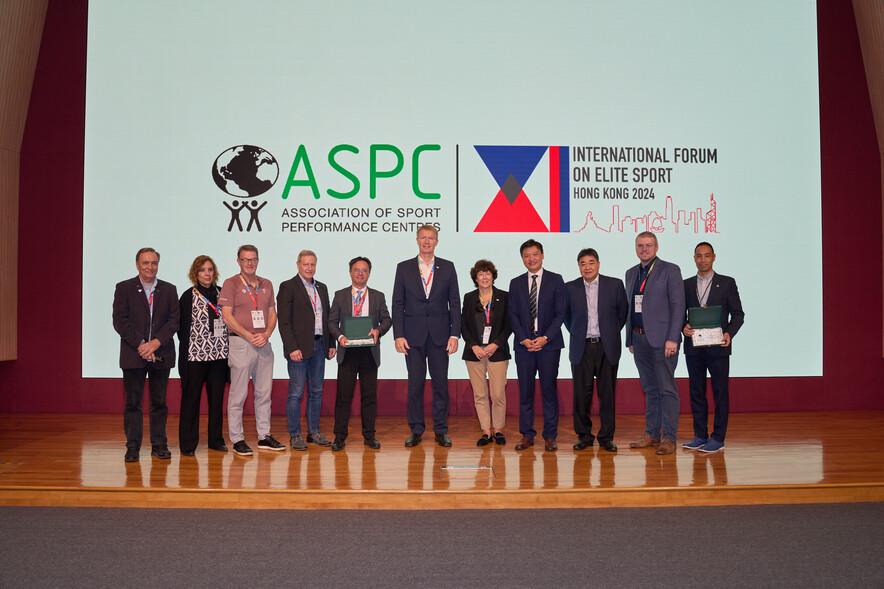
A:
537, 311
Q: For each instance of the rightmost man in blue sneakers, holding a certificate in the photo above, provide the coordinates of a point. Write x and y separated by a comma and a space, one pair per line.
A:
710, 289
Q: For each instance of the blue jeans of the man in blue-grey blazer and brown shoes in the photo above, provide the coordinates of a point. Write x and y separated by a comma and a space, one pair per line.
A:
657, 375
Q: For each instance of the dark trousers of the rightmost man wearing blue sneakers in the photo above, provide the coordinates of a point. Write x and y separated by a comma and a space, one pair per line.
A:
719, 369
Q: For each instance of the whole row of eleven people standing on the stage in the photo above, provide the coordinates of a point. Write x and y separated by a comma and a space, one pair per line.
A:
224, 334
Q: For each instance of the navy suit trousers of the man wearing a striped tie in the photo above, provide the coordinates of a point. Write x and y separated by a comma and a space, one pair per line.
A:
544, 364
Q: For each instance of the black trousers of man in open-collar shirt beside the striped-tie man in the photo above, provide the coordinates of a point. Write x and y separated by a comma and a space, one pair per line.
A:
594, 366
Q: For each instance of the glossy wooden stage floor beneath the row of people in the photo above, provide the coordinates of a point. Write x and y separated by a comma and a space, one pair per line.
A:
77, 460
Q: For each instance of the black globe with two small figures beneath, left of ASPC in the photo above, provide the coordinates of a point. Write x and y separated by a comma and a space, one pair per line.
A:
244, 172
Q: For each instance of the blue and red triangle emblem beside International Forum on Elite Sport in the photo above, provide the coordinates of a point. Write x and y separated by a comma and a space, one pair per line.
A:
512, 209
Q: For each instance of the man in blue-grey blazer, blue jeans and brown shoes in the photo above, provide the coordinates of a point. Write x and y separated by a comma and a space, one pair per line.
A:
653, 333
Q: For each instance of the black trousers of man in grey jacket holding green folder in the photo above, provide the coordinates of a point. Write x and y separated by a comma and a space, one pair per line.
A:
357, 363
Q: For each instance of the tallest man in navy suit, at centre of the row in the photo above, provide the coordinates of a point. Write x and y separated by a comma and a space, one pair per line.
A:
426, 325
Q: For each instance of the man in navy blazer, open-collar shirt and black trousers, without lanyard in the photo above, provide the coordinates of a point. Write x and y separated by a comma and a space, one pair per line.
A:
596, 313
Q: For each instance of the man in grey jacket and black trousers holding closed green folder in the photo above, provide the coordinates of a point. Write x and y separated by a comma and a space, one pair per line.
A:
358, 300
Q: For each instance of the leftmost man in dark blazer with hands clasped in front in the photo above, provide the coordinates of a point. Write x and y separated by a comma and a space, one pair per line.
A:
146, 314
